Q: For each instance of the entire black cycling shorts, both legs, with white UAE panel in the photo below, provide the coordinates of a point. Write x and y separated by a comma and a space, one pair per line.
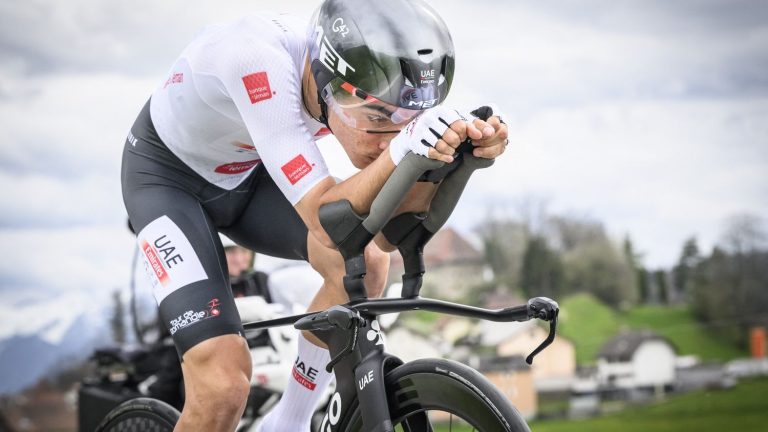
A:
177, 214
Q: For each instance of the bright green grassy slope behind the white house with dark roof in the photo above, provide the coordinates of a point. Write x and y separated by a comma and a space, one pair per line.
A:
588, 324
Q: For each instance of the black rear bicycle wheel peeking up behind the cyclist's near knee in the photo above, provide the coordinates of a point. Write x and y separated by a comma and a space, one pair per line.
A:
140, 415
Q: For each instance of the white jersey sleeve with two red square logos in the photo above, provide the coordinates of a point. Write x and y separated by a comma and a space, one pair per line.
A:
264, 83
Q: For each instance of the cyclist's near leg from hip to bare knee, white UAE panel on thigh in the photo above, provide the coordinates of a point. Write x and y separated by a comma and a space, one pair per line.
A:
184, 259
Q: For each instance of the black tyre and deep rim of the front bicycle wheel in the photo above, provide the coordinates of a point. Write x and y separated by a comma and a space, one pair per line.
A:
443, 385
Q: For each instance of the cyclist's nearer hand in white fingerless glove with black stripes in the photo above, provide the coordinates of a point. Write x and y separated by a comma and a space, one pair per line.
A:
434, 134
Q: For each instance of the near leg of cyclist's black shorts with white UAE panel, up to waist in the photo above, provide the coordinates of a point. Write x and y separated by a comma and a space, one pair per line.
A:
182, 252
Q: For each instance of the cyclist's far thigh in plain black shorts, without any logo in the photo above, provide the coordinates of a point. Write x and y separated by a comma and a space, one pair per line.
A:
269, 224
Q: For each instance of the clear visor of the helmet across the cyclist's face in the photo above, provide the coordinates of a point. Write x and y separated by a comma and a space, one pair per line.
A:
362, 111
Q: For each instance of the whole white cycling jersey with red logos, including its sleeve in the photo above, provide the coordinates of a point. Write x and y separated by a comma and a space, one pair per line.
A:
233, 100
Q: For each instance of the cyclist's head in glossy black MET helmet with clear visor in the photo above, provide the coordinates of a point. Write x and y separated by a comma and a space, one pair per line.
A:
377, 64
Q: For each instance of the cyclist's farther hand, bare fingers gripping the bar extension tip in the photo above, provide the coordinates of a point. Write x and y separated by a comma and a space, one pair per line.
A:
490, 137
